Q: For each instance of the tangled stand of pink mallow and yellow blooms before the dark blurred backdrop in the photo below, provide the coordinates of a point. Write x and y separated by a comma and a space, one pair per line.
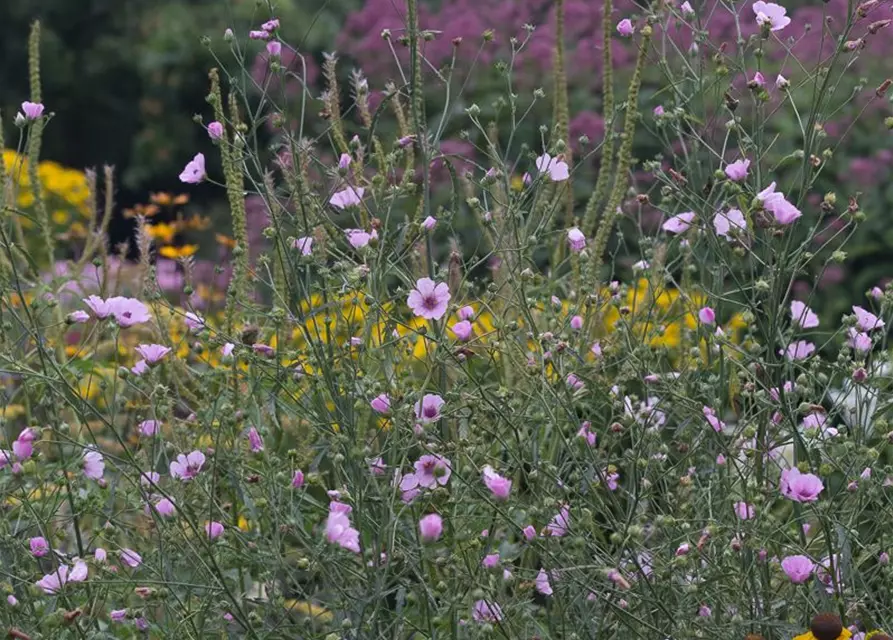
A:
381, 430
